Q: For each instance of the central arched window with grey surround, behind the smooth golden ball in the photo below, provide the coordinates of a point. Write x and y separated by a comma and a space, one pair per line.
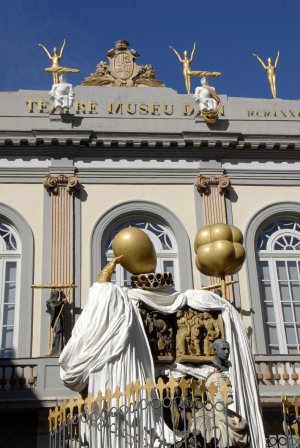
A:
164, 229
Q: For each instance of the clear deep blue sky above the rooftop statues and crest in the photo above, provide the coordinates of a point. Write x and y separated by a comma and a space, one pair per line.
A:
226, 34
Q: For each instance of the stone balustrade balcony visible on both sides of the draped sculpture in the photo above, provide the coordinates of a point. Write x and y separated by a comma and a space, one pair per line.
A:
36, 381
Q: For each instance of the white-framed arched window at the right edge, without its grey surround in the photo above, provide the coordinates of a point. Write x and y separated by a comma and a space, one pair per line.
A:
278, 247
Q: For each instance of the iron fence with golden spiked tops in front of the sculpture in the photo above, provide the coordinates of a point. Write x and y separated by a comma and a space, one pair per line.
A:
178, 402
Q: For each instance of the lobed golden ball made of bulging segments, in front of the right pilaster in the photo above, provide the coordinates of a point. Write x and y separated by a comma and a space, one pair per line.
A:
219, 249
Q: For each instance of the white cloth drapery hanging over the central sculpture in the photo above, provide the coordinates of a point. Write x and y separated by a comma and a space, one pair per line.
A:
109, 348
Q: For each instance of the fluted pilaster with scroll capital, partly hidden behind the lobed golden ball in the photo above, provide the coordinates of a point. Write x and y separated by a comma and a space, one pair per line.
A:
214, 190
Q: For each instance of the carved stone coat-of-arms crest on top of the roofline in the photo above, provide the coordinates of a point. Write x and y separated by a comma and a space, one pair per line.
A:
122, 70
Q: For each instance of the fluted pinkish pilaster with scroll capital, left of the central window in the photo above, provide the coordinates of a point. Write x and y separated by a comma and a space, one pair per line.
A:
61, 189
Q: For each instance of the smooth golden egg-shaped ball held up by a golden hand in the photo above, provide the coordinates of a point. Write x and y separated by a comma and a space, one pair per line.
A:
137, 249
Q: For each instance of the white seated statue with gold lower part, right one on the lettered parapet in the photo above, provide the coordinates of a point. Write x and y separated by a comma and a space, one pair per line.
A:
209, 102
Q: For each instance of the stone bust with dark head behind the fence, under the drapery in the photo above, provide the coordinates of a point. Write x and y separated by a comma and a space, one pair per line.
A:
219, 422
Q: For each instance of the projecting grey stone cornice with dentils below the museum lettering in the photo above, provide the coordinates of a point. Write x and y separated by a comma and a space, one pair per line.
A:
218, 141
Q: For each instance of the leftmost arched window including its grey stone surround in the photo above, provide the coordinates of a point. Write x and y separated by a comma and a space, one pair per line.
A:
16, 276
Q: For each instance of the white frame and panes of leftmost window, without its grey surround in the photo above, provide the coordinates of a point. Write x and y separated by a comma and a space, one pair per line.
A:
10, 254
